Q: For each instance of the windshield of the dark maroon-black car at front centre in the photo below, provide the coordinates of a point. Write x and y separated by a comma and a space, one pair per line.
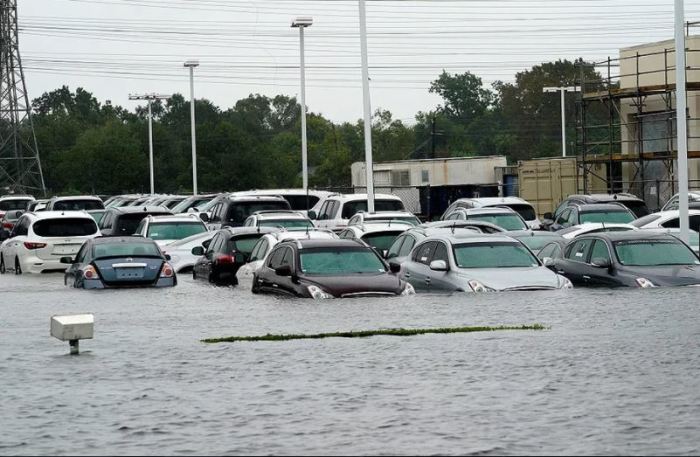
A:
340, 262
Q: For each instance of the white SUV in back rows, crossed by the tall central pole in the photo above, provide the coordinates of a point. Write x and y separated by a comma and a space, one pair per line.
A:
336, 210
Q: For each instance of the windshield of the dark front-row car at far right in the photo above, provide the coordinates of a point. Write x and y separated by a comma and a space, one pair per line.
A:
650, 253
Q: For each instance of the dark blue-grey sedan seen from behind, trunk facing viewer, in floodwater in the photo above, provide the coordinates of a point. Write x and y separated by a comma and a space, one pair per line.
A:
119, 262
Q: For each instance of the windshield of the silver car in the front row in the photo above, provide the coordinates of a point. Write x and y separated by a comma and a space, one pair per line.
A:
494, 255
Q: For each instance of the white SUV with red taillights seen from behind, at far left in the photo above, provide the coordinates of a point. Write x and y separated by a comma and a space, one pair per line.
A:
39, 240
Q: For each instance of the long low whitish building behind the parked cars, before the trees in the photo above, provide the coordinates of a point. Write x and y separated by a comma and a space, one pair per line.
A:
441, 172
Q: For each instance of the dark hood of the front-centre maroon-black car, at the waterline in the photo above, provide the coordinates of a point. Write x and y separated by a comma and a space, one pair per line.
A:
340, 286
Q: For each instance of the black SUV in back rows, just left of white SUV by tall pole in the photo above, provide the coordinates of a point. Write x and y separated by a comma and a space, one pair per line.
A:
232, 211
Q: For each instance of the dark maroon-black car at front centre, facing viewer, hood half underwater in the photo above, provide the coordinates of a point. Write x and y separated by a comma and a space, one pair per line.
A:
323, 269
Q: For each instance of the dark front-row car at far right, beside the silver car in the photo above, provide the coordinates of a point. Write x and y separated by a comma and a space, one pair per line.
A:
628, 259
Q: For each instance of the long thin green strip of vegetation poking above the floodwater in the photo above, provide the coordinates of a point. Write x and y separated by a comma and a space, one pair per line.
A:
371, 333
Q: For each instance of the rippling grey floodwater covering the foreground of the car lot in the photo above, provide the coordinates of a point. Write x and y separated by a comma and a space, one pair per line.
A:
617, 373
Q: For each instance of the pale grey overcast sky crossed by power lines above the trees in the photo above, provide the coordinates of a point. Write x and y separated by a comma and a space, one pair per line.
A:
117, 47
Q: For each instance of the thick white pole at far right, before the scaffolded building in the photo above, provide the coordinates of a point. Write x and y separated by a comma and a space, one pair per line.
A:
682, 123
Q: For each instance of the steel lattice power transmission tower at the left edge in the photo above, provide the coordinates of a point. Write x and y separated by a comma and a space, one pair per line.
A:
20, 167
